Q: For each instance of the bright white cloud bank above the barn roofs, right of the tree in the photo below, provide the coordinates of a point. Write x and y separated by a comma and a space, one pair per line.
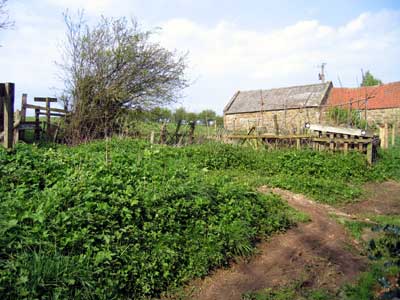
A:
227, 58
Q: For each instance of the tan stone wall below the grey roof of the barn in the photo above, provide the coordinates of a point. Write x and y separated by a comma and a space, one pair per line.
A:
289, 122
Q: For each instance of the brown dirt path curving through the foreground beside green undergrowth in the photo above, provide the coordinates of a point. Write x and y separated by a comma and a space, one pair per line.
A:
319, 254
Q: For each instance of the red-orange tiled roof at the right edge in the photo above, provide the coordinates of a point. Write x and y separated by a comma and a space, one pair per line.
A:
379, 96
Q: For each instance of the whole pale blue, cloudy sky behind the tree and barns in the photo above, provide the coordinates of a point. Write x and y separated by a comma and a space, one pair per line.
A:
231, 45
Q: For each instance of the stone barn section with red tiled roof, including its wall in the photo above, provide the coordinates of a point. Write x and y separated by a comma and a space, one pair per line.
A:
382, 101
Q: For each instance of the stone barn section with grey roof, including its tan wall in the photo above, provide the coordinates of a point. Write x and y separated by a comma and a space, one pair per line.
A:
289, 107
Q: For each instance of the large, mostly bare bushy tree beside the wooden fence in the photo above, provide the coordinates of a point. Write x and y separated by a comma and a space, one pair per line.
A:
113, 67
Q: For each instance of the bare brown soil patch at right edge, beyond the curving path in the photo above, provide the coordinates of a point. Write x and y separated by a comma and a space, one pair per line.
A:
379, 198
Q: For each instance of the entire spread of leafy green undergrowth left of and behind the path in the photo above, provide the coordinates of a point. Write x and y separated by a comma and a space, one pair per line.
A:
122, 219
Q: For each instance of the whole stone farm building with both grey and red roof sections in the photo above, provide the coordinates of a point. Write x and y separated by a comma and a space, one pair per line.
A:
294, 106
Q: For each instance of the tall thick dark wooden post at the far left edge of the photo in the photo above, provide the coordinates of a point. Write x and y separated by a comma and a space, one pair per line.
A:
9, 115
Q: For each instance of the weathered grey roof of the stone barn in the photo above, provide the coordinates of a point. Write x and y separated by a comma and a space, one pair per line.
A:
278, 99
